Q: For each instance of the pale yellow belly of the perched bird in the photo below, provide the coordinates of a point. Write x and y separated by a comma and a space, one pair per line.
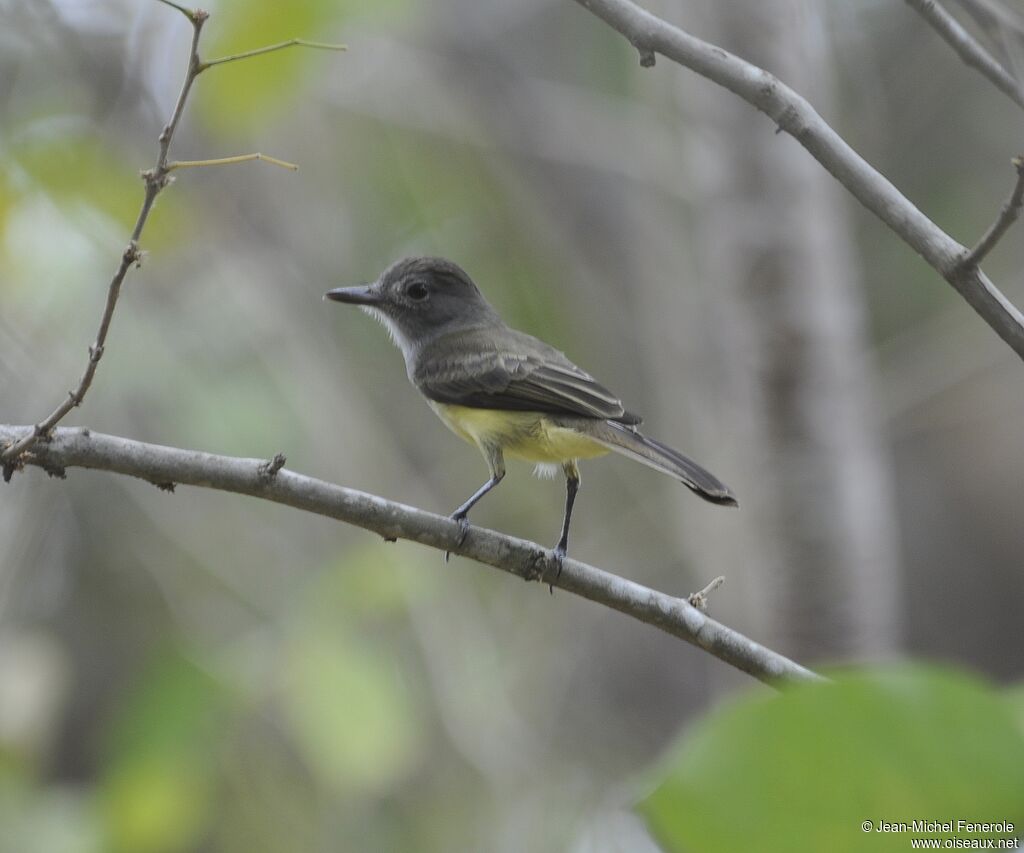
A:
528, 436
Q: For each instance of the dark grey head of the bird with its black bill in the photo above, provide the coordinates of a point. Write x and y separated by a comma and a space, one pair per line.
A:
419, 300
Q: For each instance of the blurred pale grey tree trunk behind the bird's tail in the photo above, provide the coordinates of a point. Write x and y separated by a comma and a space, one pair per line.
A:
817, 555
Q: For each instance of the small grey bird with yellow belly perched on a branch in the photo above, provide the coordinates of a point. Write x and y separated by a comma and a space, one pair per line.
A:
506, 392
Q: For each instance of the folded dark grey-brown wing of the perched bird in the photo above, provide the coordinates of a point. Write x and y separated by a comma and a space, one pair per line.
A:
531, 378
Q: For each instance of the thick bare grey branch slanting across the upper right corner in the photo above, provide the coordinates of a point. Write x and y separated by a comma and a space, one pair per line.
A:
792, 113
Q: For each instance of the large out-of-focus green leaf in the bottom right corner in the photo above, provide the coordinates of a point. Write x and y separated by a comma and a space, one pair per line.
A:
803, 770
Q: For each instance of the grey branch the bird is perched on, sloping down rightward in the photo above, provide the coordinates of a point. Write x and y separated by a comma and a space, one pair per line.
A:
165, 467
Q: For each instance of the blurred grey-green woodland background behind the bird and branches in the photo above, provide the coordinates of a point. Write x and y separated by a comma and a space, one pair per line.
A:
199, 671
